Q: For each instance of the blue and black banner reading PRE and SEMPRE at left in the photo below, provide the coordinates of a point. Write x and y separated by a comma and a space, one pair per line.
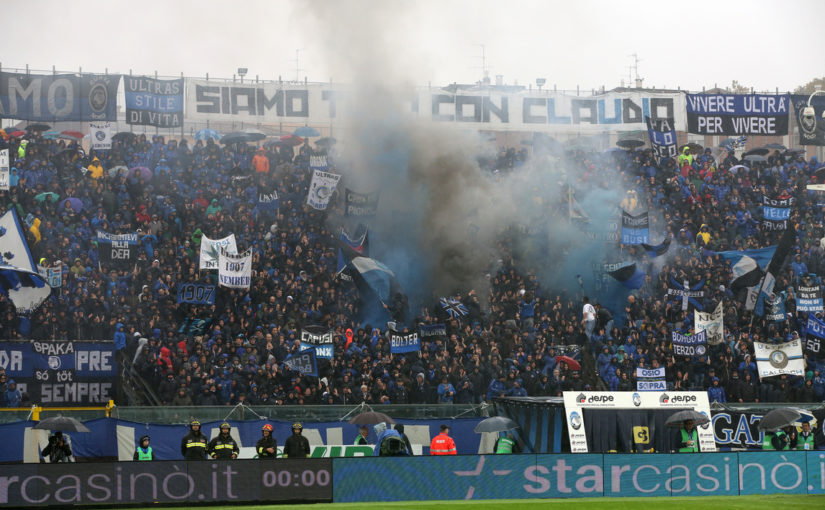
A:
64, 373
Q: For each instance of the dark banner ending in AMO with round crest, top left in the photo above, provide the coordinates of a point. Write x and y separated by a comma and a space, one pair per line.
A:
59, 97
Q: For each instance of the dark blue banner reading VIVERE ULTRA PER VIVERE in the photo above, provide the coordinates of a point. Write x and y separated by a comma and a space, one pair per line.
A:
738, 114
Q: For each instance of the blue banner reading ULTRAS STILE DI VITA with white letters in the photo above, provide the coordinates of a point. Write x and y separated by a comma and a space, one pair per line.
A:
153, 102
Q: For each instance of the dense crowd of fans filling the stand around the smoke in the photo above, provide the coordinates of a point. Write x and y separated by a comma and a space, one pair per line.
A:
509, 343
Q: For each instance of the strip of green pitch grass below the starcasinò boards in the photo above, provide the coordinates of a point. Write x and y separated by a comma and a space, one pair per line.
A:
675, 503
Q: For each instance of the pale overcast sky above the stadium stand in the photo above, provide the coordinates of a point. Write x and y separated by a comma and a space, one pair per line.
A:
763, 44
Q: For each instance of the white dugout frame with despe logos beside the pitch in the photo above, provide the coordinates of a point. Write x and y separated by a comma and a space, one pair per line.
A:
576, 401
